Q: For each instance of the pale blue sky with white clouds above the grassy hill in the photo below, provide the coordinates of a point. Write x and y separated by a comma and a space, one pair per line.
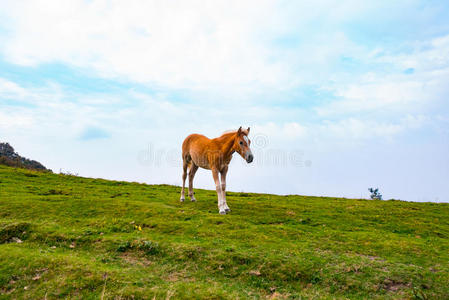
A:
340, 96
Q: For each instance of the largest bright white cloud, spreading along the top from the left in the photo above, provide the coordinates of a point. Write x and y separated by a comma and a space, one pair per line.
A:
229, 46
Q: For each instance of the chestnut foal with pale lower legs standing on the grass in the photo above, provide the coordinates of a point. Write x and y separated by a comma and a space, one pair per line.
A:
215, 154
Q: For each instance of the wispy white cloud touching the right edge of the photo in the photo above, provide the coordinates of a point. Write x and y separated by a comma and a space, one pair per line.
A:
396, 92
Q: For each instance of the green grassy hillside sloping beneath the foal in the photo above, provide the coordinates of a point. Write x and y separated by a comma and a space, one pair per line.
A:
74, 237
